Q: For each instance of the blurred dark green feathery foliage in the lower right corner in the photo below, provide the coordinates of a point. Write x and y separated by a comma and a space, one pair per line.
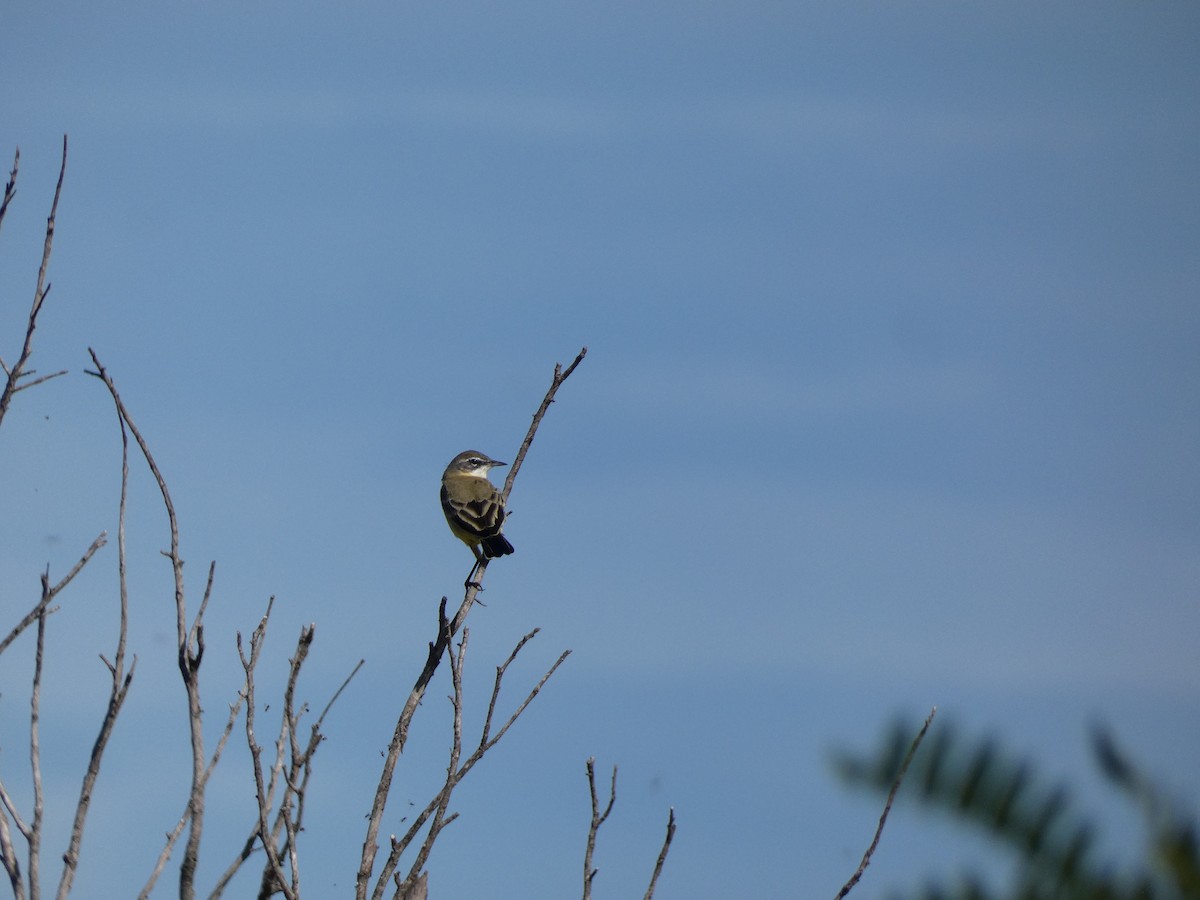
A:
982, 784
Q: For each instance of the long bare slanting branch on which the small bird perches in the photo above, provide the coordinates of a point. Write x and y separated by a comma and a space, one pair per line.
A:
446, 633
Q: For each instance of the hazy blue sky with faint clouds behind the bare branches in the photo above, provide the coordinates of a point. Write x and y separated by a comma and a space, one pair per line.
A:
892, 399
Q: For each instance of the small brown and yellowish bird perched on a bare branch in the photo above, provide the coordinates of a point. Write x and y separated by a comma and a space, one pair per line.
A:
475, 508
